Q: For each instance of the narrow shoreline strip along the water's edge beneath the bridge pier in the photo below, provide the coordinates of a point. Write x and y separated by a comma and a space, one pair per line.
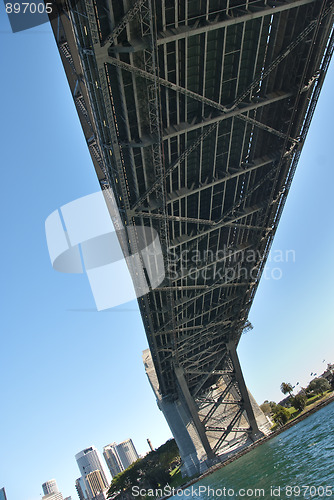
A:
273, 434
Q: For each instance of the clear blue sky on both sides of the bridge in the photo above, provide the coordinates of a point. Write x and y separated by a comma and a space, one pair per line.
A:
71, 377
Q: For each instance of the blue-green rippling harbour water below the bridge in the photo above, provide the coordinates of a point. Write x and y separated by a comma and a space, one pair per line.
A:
297, 464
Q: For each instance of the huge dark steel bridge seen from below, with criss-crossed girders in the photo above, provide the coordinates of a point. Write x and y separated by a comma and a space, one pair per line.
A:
195, 113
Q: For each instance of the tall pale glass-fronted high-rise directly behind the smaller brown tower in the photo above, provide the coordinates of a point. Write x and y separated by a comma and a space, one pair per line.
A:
88, 461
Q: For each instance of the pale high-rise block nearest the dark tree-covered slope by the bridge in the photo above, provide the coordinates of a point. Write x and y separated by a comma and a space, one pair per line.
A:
120, 456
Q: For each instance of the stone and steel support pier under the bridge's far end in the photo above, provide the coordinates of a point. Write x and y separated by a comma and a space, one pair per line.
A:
221, 420
